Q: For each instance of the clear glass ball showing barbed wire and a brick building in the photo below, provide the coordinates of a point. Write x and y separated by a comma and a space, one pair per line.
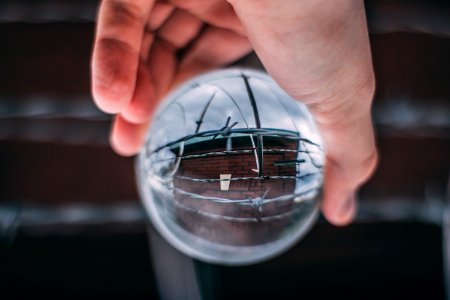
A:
232, 168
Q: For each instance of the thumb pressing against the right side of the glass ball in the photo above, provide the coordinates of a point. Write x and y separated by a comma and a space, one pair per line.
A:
351, 160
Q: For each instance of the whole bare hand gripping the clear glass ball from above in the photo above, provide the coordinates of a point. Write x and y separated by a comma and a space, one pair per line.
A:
317, 50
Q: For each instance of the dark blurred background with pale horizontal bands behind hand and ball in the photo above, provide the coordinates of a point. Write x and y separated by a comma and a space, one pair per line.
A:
71, 223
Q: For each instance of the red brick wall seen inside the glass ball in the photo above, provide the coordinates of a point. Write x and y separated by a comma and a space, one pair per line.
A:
204, 217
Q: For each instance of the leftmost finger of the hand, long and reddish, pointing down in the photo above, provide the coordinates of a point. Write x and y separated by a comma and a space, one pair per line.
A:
115, 59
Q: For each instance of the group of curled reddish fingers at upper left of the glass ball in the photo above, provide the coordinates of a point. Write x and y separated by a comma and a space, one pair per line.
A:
123, 85
